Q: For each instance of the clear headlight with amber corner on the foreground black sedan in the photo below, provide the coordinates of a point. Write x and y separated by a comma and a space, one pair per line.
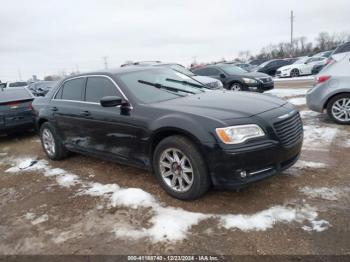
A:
239, 134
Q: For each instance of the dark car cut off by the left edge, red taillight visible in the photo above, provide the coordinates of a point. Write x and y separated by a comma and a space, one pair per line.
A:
16, 113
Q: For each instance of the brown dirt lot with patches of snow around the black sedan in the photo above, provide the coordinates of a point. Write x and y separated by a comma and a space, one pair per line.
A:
87, 206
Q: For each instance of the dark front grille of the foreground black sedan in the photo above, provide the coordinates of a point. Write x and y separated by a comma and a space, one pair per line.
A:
289, 130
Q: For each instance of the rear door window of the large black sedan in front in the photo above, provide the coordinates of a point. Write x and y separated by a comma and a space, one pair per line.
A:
73, 89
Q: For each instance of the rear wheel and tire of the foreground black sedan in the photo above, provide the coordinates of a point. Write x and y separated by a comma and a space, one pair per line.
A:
51, 142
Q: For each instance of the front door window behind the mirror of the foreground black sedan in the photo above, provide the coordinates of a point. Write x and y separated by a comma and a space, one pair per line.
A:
98, 87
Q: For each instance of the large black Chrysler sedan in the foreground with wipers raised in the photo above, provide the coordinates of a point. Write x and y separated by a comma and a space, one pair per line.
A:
159, 119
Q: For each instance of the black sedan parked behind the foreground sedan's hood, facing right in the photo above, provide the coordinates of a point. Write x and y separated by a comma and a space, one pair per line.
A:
237, 79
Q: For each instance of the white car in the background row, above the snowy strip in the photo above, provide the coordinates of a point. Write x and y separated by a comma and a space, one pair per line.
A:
303, 66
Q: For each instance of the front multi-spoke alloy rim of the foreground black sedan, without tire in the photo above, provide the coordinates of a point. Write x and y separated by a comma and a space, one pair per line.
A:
176, 170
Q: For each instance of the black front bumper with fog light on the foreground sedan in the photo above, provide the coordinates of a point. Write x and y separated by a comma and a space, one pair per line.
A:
258, 161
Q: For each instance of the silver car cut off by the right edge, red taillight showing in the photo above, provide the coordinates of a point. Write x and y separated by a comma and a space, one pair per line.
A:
331, 91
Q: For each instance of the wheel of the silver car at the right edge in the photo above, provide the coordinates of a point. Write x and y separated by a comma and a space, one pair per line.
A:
338, 109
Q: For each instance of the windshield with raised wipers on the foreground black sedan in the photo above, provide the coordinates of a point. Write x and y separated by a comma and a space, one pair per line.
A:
149, 86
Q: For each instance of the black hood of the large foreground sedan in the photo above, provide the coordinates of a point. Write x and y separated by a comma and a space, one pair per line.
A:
223, 105
